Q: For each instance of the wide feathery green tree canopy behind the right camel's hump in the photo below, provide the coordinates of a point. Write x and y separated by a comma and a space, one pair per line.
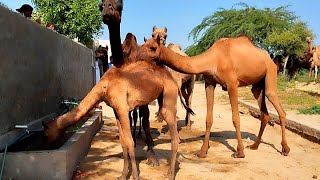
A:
275, 30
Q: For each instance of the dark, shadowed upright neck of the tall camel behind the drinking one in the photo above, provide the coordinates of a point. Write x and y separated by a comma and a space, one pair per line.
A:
115, 43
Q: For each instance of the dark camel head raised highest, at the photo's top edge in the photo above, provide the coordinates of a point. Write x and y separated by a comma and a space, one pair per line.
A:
111, 11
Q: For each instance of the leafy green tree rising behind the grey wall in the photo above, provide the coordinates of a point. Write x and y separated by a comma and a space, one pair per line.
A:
74, 18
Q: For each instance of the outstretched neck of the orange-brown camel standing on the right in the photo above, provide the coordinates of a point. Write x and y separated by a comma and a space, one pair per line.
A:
183, 64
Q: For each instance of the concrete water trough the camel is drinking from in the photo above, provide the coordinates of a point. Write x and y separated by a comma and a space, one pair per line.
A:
25, 161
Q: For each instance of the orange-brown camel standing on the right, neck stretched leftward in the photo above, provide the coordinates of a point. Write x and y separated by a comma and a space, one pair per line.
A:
228, 63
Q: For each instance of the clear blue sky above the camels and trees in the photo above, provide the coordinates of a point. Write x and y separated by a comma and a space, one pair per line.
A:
181, 16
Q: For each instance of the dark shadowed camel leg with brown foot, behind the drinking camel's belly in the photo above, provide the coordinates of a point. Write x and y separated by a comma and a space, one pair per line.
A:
151, 156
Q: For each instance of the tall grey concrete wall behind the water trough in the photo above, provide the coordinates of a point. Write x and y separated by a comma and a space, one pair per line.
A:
38, 68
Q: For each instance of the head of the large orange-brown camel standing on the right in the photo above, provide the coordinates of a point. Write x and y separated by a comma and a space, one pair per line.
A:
150, 49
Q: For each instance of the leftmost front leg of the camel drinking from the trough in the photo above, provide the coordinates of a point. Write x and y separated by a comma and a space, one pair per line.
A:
125, 170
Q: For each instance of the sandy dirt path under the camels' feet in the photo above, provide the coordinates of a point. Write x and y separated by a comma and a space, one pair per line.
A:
104, 159
